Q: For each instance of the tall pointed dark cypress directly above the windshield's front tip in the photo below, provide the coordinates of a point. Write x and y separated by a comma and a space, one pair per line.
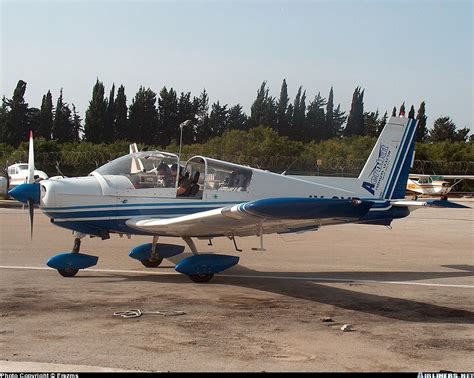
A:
96, 115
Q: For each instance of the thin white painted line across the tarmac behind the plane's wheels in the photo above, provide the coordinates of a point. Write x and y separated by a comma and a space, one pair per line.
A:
295, 278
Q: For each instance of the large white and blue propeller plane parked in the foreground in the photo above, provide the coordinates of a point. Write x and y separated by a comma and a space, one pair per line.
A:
132, 195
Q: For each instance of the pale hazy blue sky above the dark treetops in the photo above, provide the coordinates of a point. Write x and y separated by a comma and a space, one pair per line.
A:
397, 51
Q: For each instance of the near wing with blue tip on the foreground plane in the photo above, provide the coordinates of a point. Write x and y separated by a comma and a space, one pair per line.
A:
261, 216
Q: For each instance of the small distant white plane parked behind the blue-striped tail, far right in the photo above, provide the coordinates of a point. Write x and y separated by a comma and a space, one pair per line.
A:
436, 185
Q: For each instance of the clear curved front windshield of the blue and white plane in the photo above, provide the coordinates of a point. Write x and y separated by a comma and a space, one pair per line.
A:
151, 169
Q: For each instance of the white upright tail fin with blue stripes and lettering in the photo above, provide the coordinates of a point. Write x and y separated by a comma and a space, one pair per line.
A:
385, 173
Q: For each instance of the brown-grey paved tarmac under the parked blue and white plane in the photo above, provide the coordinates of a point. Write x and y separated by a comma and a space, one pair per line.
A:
407, 292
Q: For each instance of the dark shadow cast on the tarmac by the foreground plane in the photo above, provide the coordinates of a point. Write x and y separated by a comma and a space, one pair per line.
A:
322, 292
